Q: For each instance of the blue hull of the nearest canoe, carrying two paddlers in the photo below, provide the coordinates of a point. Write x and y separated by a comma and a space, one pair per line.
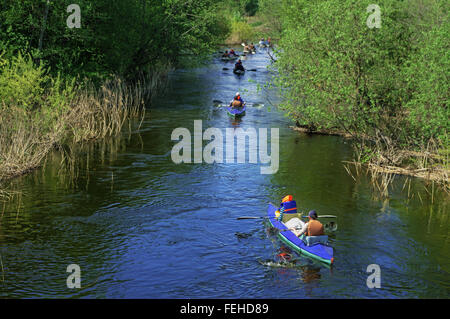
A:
317, 251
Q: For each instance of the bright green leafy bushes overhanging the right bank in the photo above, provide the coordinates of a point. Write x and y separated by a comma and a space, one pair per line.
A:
389, 82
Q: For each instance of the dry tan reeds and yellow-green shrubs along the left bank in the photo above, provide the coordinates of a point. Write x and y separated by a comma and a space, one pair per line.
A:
58, 113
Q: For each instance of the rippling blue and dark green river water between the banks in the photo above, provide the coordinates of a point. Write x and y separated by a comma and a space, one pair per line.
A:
140, 226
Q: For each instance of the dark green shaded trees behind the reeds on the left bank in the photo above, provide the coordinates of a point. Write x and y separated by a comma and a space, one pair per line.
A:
125, 37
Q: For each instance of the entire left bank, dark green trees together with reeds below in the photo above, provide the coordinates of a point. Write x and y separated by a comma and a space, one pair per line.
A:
61, 84
